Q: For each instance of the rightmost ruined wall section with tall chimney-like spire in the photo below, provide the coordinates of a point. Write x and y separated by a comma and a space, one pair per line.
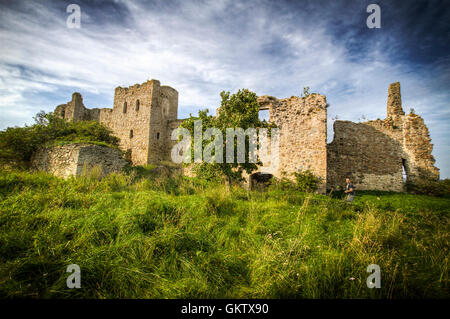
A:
374, 154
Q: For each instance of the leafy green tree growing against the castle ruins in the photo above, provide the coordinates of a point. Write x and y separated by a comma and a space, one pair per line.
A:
239, 110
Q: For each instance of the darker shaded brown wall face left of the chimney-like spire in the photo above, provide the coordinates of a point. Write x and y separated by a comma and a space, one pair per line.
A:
370, 158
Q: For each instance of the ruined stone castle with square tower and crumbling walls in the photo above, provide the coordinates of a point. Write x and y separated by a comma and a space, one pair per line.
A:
374, 154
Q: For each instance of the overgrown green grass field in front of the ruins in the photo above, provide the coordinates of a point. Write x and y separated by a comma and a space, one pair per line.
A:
136, 236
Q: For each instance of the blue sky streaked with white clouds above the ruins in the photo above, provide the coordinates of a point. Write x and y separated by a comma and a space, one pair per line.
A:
203, 47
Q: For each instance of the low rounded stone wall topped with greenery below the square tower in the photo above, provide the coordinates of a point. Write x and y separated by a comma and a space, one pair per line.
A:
74, 159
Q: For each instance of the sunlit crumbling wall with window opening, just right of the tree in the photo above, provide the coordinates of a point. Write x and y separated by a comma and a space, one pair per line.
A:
302, 134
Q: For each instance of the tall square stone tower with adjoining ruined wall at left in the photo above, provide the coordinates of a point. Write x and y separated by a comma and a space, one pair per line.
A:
139, 118
